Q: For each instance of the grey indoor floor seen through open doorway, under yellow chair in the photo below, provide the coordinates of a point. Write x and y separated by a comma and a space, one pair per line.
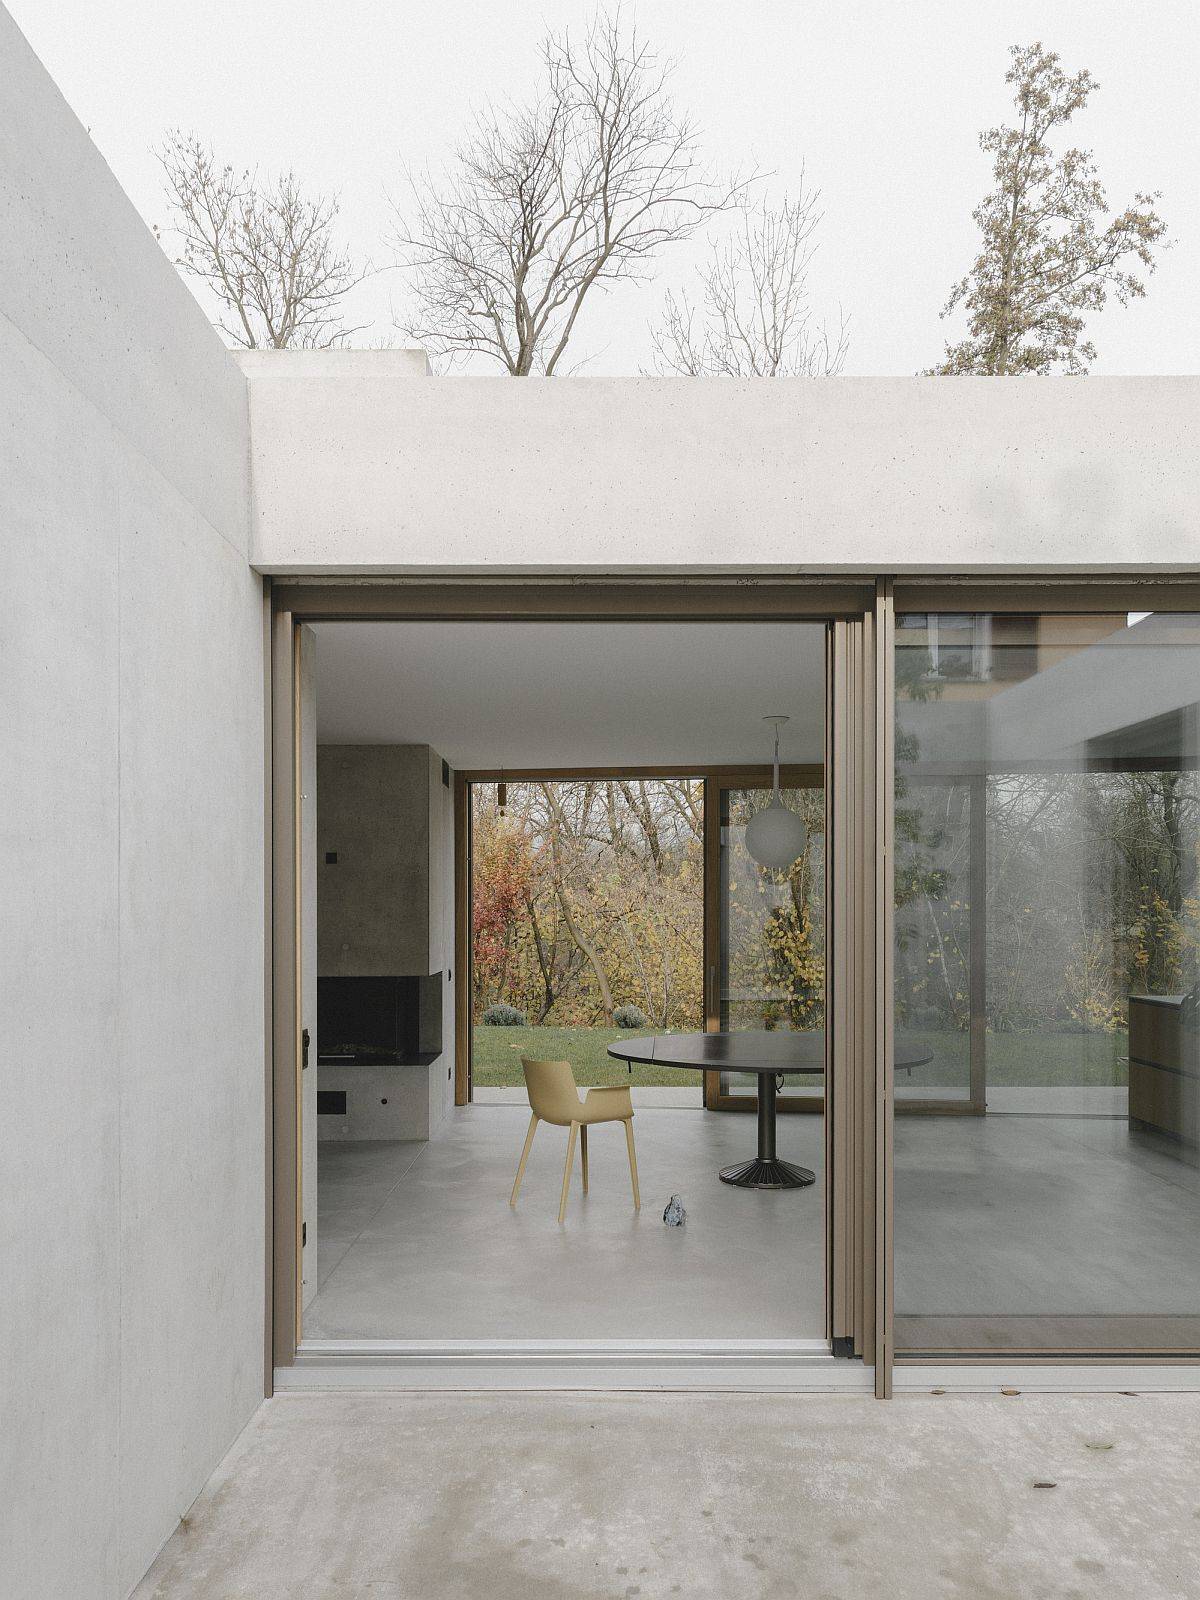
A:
418, 1241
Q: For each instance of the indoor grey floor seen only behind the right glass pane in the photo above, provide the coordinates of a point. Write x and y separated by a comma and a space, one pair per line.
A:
1046, 1220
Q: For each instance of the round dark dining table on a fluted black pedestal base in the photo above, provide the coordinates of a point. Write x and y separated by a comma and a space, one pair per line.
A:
770, 1057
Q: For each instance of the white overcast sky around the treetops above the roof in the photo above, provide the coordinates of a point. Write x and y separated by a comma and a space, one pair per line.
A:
881, 102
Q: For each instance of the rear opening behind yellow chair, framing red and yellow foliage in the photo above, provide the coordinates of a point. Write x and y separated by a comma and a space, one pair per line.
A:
588, 905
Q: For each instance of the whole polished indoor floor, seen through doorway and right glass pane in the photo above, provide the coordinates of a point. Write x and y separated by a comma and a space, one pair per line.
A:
1012, 1231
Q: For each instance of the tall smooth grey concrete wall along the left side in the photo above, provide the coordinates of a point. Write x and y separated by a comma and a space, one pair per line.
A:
132, 1142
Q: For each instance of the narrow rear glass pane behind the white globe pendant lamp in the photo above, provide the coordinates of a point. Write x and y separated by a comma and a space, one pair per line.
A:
774, 929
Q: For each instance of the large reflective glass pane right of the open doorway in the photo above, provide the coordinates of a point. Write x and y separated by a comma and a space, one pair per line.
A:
1047, 983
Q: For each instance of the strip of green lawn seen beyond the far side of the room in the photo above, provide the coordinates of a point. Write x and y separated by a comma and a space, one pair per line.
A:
1014, 1060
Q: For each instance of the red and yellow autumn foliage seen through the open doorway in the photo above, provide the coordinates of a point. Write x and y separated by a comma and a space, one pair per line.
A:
590, 898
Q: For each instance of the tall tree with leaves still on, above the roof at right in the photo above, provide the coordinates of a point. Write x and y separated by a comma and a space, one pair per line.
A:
1047, 257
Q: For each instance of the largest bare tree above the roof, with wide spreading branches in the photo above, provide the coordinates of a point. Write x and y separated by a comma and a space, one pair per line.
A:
543, 204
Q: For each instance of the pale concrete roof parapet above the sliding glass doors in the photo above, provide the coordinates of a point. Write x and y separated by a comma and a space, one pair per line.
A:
356, 473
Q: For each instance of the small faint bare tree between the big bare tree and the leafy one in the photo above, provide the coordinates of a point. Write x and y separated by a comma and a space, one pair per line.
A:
754, 316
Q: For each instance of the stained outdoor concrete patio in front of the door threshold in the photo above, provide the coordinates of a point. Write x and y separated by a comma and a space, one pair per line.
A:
726, 1497
